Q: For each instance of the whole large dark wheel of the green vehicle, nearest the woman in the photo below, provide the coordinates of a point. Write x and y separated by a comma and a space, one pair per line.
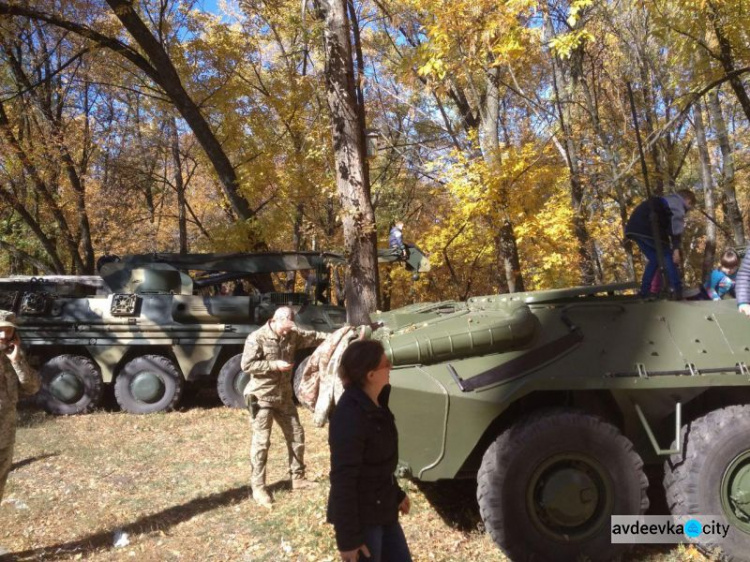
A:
549, 484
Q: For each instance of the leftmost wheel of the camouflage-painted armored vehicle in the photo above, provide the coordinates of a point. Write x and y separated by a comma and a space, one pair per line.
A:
71, 384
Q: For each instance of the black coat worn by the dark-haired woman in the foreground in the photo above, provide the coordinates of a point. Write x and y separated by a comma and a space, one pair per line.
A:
364, 454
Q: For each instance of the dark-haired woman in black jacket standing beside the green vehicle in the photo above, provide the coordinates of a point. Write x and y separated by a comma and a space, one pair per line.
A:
365, 499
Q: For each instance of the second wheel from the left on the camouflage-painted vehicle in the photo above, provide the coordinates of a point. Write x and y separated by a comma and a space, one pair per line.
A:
148, 384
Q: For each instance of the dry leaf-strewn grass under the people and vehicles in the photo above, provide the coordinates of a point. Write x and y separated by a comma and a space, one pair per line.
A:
178, 485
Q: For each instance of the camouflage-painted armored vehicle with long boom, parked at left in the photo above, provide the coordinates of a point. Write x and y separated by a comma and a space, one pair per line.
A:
152, 323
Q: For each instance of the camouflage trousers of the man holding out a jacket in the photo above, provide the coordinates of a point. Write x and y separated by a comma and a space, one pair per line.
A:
285, 414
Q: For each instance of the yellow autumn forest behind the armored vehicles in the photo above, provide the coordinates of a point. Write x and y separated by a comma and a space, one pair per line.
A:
501, 132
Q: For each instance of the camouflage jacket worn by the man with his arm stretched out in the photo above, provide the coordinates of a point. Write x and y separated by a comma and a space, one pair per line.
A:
263, 352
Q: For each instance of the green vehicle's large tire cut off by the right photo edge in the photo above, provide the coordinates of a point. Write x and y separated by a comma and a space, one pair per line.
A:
711, 476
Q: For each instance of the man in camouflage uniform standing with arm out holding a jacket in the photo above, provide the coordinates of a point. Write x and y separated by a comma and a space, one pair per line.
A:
269, 358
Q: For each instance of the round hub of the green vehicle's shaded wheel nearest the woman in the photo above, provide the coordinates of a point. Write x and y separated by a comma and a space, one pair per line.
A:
568, 496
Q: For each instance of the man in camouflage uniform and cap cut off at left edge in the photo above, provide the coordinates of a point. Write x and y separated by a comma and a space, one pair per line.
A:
15, 376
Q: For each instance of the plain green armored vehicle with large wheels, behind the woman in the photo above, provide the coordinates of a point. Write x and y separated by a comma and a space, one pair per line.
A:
554, 401
